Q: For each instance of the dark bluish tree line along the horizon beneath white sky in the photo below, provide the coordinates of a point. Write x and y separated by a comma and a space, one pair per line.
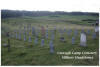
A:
17, 13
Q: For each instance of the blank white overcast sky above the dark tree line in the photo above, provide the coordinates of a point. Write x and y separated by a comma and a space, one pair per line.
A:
52, 5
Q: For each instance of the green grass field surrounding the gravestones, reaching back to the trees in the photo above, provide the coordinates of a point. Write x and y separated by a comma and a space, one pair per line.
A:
25, 53
